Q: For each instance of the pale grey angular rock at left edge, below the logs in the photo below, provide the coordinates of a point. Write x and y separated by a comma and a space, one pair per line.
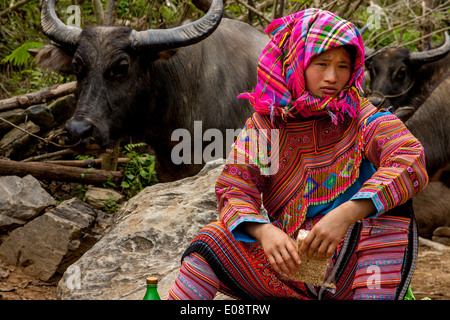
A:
21, 199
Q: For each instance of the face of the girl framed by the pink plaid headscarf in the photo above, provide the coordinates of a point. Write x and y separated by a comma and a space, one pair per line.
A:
328, 73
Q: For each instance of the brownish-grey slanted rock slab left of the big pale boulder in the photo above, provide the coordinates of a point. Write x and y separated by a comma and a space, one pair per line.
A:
51, 242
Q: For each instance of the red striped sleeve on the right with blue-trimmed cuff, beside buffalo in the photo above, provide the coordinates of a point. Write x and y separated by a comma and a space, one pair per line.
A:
398, 158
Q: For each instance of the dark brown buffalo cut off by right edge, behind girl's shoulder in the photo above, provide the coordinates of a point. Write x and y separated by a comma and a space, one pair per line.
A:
416, 87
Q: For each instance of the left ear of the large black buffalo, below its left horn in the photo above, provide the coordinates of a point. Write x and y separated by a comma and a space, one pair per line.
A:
53, 58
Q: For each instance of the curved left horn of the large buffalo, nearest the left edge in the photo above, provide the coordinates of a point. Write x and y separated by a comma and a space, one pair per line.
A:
54, 29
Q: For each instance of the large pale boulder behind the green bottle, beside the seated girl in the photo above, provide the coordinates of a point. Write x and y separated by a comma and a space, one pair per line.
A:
151, 232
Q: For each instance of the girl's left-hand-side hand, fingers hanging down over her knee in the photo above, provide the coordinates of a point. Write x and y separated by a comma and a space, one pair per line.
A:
280, 249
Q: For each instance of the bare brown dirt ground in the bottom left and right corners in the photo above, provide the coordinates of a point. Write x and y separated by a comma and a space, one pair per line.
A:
431, 279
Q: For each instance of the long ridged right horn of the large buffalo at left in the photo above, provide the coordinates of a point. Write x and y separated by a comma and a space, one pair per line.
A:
185, 35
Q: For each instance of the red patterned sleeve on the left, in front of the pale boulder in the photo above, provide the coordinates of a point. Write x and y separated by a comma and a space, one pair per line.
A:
240, 184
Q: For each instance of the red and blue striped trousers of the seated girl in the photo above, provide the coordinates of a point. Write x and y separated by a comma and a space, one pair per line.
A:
375, 260
